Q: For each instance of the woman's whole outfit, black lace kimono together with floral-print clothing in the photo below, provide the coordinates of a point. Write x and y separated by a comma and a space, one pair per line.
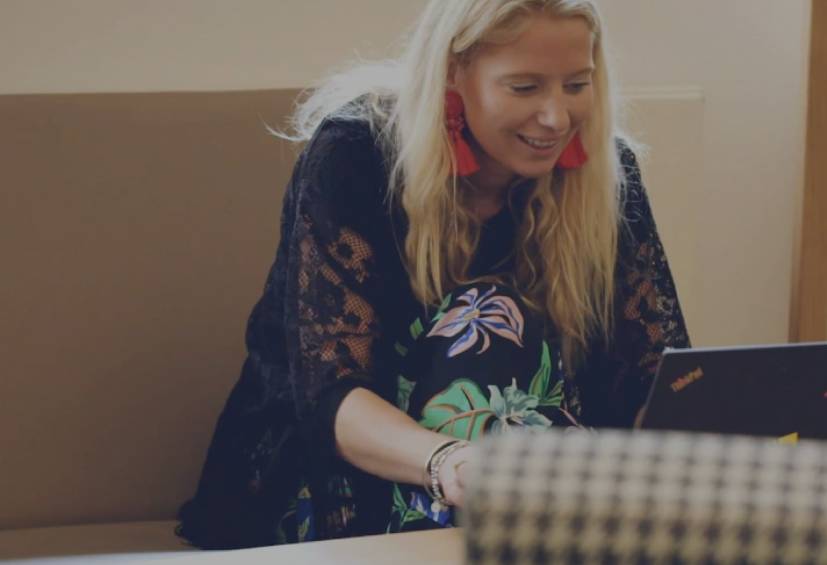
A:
337, 312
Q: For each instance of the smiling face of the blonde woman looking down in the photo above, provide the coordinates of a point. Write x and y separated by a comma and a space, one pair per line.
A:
525, 100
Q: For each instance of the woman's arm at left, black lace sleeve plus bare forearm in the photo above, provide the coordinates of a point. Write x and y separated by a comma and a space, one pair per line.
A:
343, 261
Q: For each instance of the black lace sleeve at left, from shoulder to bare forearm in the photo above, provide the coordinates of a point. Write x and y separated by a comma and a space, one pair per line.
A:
334, 282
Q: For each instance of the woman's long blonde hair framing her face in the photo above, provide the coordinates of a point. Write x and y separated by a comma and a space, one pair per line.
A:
566, 245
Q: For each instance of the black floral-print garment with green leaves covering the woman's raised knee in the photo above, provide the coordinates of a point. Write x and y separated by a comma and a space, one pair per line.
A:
485, 370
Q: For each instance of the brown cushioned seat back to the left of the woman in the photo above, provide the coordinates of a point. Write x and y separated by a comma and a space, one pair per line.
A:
137, 230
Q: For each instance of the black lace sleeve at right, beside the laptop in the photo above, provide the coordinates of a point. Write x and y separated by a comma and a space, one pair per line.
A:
648, 315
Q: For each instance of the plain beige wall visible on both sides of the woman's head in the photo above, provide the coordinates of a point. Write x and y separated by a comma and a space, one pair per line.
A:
737, 65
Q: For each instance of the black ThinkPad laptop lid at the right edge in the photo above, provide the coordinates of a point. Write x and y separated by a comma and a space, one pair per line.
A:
775, 390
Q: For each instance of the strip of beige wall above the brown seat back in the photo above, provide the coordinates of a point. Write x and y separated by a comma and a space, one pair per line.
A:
151, 45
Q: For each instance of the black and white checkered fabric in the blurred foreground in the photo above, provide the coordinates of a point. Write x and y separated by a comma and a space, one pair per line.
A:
645, 497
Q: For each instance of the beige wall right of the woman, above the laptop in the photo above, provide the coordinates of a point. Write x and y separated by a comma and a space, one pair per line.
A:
748, 60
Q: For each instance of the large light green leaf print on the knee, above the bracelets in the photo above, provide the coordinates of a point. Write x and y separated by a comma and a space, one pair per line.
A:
461, 410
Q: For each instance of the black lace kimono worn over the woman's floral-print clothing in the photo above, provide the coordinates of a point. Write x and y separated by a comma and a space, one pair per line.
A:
334, 315
